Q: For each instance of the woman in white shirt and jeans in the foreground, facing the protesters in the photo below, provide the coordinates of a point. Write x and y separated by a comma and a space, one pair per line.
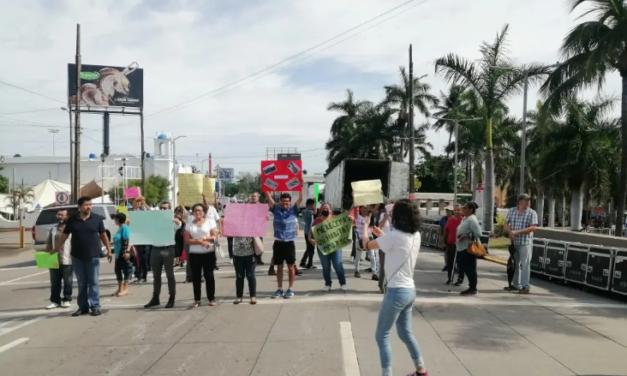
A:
401, 248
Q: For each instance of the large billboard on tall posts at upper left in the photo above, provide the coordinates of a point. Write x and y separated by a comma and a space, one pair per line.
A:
107, 86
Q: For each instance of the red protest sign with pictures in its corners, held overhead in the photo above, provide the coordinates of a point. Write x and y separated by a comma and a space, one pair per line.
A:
281, 176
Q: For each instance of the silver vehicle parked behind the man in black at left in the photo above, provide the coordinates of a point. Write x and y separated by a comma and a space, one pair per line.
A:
48, 218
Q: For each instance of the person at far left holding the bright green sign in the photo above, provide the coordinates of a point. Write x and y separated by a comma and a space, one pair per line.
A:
63, 275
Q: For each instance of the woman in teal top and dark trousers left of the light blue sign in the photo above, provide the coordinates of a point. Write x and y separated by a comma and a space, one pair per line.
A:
122, 254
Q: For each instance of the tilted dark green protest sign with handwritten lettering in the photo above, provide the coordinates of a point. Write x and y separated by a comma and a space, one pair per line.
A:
334, 233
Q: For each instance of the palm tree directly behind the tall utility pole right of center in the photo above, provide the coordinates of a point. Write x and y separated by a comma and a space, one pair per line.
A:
398, 96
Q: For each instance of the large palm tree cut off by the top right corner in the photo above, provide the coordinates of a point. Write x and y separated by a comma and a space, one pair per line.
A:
590, 51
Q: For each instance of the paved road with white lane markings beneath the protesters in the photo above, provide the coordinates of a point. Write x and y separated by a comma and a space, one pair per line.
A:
554, 331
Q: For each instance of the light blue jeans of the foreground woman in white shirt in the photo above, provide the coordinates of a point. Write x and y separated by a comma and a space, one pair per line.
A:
396, 308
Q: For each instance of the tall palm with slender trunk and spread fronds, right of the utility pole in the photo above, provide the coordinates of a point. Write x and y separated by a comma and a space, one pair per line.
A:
493, 86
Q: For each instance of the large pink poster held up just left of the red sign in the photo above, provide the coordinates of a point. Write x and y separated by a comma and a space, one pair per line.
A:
244, 220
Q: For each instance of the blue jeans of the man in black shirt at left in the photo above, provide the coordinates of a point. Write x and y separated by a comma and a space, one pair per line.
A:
87, 273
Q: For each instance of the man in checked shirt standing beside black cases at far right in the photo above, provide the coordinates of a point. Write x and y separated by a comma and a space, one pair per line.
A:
520, 223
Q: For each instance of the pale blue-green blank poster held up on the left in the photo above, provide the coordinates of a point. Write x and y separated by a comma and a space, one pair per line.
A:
151, 227
